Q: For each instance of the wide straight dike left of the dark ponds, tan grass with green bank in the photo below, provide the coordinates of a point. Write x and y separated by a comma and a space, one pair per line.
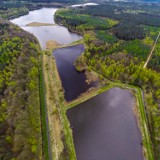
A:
60, 134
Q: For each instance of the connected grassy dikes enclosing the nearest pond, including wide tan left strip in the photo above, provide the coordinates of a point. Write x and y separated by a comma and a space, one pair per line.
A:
60, 132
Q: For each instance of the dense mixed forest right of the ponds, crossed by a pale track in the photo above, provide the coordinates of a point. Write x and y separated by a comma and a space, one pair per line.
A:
119, 49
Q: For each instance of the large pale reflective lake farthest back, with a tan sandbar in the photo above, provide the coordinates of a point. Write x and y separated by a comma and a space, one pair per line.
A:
46, 33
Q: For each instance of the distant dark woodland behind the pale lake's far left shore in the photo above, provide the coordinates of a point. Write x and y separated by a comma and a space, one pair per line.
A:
10, 9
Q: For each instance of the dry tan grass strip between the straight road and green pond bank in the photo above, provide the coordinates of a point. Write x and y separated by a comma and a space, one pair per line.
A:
52, 98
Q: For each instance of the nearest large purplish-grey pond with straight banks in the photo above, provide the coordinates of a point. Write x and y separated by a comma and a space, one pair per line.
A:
105, 128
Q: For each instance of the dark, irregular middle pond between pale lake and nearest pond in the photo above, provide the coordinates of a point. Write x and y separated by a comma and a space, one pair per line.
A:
73, 82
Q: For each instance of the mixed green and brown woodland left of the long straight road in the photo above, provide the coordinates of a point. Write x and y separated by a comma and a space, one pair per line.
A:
20, 127
